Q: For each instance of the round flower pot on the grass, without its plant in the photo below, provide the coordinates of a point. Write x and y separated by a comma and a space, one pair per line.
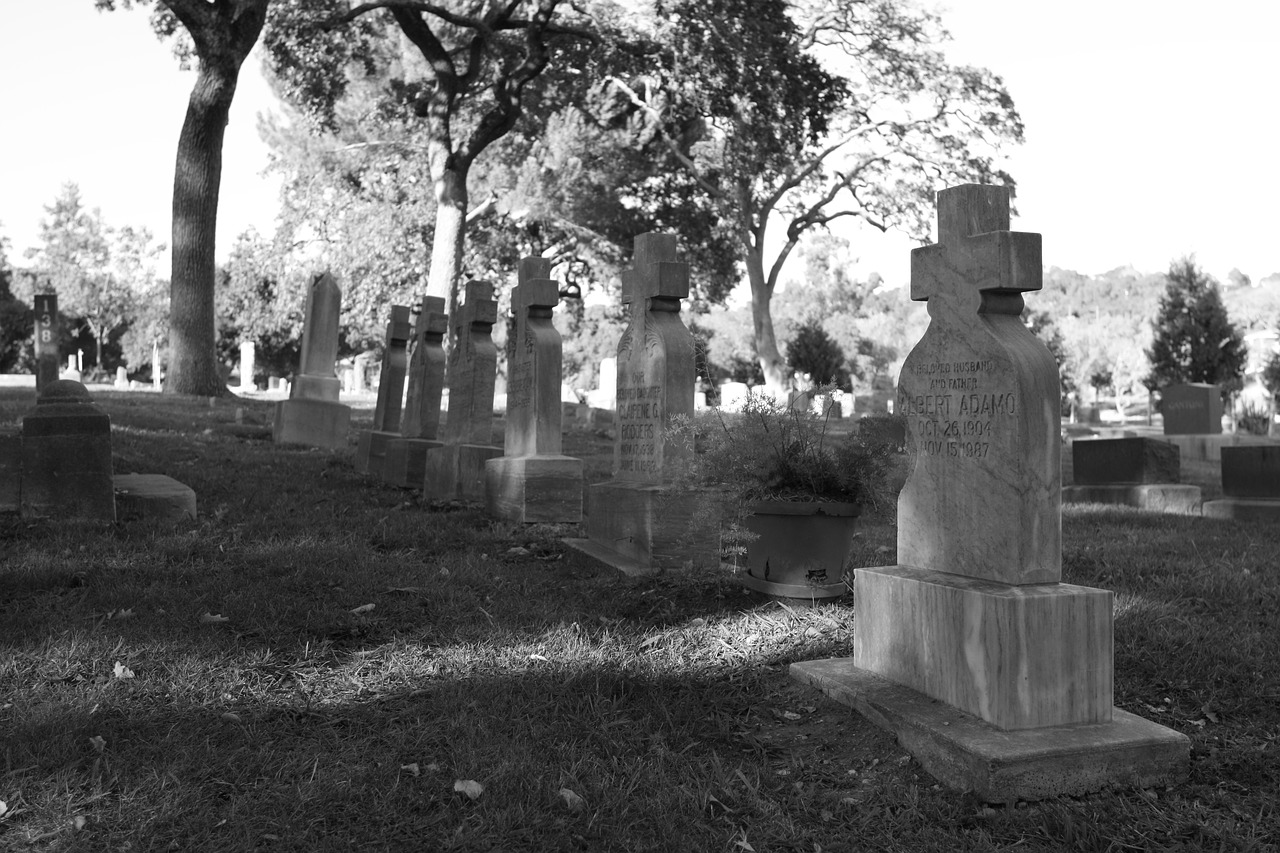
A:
801, 548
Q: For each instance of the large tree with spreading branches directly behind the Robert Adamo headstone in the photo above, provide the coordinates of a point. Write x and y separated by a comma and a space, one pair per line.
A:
802, 113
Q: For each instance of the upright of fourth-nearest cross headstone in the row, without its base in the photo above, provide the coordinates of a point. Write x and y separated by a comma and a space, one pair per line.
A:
473, 368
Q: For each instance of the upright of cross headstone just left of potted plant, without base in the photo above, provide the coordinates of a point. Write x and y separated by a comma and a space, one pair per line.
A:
656, 361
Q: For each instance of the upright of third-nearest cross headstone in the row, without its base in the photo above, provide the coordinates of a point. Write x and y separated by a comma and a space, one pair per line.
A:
533, 386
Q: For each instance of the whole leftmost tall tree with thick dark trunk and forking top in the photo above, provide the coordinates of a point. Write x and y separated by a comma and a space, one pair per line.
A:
220, 34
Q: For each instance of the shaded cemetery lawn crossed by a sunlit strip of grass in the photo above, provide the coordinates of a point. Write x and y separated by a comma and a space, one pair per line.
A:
222, 686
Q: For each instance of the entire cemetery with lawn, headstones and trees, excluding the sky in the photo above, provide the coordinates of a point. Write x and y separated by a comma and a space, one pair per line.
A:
519, 494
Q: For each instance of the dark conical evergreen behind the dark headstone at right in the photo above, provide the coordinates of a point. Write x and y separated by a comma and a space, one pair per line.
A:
1195, 340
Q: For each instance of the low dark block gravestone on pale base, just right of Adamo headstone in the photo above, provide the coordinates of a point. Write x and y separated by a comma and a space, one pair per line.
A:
1131, 472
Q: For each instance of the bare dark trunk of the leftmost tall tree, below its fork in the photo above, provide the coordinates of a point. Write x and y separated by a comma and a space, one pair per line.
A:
196, 181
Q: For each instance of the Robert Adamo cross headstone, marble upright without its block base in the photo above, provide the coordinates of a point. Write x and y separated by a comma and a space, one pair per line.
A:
981, 398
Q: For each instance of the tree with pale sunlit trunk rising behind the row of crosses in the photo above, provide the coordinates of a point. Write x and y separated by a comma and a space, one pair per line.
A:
467, 88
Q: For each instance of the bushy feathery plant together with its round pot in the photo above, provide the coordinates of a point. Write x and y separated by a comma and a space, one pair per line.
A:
794, 483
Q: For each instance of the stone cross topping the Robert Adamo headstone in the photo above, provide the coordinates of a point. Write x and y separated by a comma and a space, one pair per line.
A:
976, 253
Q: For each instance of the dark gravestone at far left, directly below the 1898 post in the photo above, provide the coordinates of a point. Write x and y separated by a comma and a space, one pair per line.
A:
67, 457
